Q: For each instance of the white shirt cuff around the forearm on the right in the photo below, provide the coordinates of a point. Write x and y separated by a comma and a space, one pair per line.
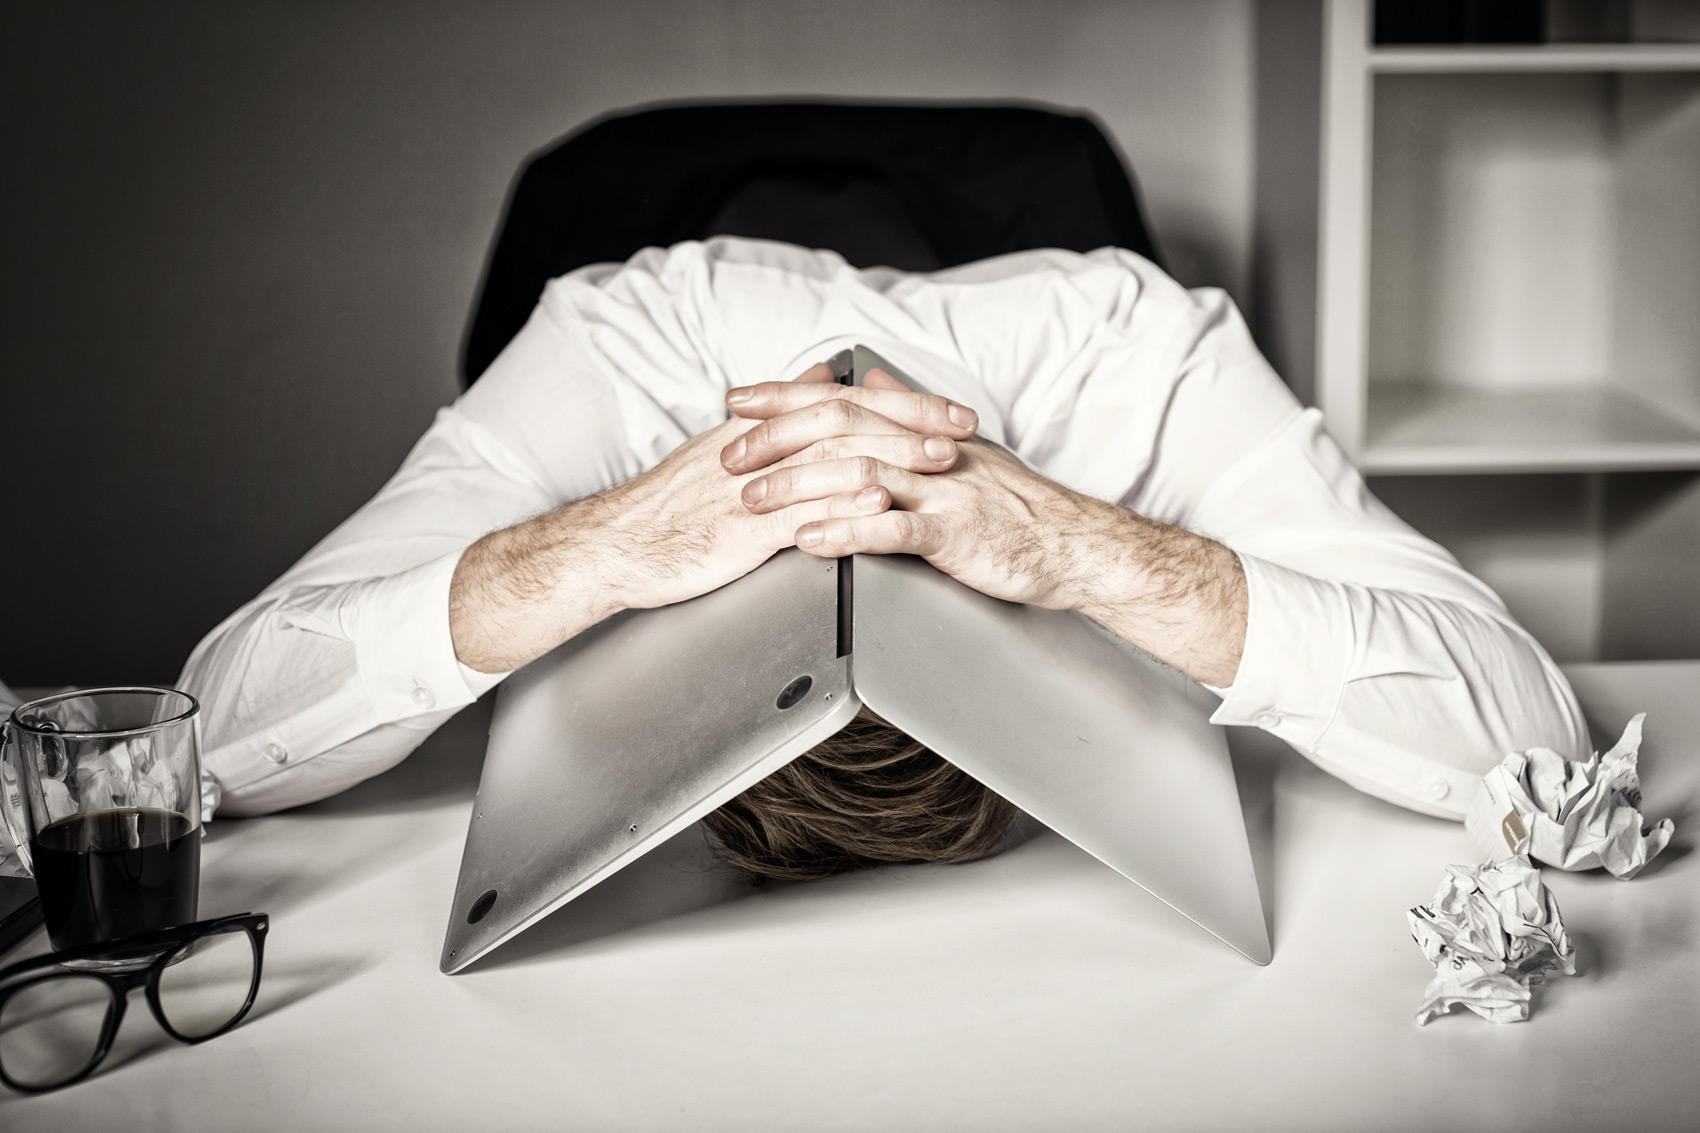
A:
1293, 669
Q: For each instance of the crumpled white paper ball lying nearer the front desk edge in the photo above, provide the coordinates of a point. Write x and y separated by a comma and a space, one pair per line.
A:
1492, 933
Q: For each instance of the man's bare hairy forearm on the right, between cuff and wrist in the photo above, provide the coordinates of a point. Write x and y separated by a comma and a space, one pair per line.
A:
1176, 595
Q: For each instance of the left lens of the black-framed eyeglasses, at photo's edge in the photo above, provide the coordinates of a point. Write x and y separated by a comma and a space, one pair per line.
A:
50, 1030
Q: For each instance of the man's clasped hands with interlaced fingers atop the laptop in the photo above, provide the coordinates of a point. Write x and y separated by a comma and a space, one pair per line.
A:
841, 470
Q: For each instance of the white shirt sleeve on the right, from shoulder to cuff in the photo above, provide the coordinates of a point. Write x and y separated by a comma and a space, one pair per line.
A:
1369, 649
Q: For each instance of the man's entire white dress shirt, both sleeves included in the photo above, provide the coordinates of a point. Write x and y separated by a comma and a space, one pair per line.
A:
1368, 647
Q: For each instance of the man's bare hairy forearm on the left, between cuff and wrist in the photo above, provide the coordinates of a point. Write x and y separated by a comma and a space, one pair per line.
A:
526, 589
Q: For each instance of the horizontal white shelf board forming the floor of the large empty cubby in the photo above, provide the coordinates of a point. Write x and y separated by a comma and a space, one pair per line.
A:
1424, 430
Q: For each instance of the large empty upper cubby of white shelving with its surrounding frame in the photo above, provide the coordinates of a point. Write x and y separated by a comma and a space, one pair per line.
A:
1510, 254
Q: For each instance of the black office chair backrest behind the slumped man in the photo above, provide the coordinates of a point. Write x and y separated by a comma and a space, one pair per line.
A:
917, 188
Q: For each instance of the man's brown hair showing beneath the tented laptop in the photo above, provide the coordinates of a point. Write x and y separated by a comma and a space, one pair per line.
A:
866, 797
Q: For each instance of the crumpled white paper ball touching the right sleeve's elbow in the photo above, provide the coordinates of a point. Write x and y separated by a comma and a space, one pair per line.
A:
1573, 814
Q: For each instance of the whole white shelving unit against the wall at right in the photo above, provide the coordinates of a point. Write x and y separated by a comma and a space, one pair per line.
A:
1509, 317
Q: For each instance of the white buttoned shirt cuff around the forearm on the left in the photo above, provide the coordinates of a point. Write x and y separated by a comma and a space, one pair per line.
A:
404, 649
